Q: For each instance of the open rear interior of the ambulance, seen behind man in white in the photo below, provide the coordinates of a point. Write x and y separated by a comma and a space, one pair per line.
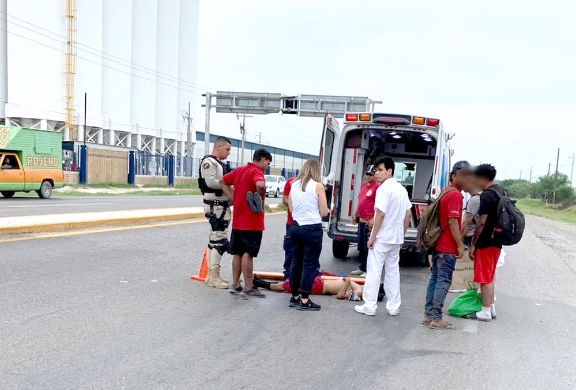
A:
413, 152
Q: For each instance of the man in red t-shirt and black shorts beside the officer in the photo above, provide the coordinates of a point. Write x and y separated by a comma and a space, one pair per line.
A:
247, 218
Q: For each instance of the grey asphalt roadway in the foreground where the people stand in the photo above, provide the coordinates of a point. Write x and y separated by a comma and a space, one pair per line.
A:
116, 309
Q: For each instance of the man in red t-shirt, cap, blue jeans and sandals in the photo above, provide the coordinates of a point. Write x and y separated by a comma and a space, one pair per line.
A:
448, 248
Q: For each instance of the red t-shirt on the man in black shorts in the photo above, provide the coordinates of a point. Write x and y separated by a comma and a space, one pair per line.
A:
244, 180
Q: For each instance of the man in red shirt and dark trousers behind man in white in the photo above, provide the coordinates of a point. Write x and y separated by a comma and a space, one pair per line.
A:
364, 216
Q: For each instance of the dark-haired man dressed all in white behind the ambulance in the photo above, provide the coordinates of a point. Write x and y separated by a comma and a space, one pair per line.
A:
393, 213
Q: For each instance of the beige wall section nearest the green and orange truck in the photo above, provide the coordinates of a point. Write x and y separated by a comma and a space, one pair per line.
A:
106, 166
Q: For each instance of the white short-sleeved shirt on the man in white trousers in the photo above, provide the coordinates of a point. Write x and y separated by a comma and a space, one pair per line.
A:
392, 199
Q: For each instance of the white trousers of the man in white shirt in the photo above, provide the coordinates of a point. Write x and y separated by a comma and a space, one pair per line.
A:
387, 256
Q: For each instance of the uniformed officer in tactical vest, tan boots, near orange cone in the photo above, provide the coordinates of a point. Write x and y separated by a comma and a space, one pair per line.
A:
216, 208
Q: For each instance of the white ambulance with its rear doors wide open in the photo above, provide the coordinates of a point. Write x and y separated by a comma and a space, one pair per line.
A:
420, 148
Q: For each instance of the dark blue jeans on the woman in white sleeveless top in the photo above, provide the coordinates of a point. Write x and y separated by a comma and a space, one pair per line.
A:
306, 249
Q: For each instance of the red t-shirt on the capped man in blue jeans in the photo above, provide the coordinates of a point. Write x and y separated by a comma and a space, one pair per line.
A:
450, 207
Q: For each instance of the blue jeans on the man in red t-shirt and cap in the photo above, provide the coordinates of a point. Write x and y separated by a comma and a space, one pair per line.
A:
440, 280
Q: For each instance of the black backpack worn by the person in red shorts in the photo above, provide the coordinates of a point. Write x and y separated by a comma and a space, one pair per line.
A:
510, 221
